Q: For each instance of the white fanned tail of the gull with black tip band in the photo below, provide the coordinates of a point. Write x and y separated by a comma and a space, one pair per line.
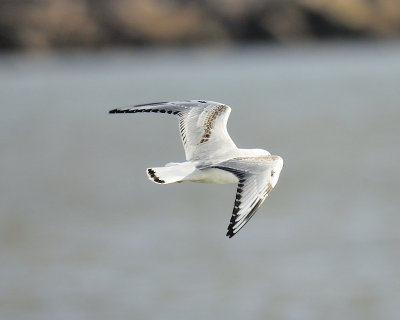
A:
170, 173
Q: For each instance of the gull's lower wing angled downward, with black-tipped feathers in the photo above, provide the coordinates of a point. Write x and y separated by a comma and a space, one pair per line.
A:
257, 177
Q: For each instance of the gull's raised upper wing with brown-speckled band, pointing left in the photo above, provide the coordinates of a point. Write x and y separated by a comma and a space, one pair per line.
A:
202, 125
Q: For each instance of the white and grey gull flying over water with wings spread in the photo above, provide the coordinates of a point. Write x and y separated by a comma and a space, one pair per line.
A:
212, 156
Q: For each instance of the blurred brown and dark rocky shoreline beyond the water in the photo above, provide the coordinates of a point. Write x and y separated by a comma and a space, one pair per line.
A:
90, 24
